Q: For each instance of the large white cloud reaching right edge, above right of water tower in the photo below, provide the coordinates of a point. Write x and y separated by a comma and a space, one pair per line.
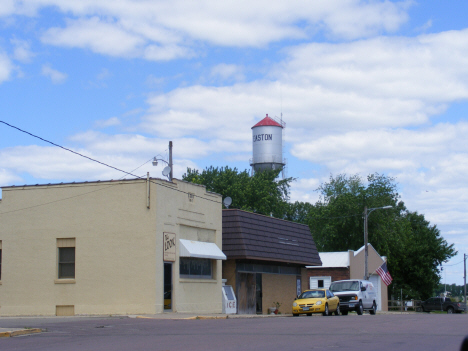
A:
429, 67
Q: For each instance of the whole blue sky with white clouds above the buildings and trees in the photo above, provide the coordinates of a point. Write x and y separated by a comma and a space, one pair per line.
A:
364, 86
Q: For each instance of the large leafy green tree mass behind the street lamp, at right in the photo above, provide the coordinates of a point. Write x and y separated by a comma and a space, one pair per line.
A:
413, 247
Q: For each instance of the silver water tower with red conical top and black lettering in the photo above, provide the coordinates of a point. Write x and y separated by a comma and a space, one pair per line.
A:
267, 145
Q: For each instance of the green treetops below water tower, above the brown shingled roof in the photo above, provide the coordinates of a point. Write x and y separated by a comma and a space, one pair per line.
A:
261, 193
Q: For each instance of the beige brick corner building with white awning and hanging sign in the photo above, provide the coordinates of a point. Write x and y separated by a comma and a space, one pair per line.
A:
110, 247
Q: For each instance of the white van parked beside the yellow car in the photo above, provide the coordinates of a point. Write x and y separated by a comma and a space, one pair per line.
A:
355, 295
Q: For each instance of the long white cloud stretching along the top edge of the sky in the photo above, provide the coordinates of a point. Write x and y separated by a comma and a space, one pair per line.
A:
160, 30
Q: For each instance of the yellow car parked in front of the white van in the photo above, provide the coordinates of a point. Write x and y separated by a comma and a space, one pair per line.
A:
316, 301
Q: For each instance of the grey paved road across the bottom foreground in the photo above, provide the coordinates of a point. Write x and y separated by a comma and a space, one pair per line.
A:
417, 331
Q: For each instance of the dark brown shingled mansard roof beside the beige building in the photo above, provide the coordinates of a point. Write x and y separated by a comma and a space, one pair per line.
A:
249, 235
